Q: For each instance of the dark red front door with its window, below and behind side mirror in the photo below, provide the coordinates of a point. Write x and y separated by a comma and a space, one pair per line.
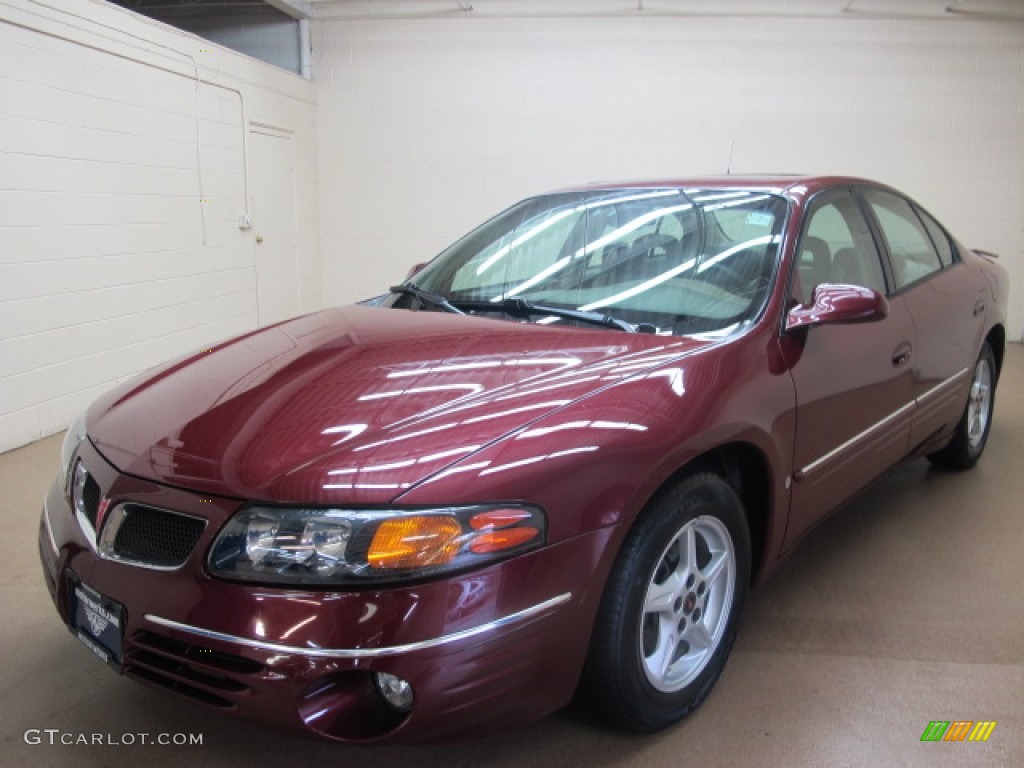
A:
855, 383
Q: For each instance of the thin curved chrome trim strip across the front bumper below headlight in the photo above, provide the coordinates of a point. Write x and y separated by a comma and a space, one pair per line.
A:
521, 616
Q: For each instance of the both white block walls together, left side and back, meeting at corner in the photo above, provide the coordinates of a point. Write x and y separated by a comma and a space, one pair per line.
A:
114, 130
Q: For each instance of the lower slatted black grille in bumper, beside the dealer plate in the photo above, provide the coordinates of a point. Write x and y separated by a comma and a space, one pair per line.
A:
194, 671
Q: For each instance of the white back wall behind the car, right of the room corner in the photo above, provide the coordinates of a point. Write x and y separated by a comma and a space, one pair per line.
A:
430, 125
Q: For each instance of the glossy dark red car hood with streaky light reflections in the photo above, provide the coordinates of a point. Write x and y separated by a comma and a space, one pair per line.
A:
355, 405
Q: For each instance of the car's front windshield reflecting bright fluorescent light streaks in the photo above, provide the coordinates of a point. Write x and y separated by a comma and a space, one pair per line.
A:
663, 261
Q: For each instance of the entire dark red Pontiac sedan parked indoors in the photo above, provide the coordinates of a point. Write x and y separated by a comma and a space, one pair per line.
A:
552, 461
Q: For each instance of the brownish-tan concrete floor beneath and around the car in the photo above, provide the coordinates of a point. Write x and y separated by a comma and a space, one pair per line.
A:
905, 608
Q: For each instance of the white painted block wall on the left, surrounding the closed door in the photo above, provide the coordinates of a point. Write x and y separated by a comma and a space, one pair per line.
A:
122, 183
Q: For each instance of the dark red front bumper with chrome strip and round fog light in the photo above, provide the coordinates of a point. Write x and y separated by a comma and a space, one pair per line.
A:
484, 652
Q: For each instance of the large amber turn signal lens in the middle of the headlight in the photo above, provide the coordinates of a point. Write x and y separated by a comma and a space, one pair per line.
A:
415, 542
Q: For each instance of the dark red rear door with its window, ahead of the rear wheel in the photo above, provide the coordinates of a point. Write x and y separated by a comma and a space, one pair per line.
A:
948, 305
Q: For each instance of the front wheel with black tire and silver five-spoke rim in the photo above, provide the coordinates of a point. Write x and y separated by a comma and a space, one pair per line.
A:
621, 681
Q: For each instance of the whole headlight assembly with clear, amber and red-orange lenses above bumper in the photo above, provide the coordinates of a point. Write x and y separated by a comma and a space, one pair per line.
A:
313, 547
